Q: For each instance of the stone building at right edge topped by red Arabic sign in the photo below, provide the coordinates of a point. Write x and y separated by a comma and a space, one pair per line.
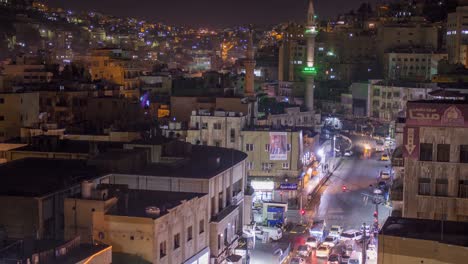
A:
436, 157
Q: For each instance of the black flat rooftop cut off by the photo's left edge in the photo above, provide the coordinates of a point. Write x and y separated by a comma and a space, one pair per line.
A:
36, 177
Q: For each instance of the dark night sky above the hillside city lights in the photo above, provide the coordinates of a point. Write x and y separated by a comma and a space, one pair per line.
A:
212, 12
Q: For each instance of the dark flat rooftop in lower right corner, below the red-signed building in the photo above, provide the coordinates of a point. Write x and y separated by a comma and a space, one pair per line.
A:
447, 232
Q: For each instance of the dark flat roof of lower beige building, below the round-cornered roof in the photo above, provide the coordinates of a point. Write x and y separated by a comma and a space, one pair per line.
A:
134, 202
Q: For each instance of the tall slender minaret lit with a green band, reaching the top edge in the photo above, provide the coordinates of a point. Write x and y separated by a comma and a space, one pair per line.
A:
309, 70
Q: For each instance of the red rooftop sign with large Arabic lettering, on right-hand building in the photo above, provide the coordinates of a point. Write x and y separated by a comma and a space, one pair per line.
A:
435, 114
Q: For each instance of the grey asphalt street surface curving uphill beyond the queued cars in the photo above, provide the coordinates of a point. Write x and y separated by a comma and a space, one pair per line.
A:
346, 208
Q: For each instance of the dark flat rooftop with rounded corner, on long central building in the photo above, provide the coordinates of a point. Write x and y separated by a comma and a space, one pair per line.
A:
204, 162
